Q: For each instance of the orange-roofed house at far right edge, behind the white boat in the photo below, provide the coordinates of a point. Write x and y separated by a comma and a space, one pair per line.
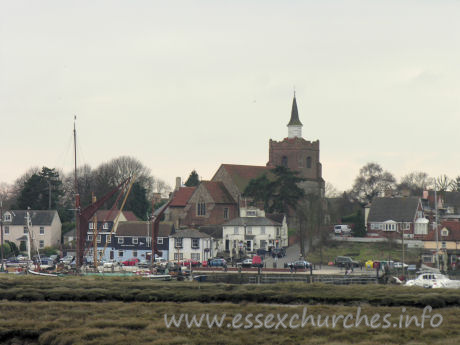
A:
447, 245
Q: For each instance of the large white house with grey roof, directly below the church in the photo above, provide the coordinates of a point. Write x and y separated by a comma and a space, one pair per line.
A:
252, 231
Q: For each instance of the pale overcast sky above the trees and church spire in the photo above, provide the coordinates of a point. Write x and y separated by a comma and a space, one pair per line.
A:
183, 85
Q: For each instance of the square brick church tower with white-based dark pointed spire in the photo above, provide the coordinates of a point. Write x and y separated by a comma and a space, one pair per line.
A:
298, 154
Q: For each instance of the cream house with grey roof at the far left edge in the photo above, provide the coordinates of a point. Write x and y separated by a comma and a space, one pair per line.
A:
45, 230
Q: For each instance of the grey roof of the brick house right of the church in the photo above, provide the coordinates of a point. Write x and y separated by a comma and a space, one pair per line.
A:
396, 209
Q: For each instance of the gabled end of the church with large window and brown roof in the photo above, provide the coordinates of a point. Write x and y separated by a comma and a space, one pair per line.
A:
210, 204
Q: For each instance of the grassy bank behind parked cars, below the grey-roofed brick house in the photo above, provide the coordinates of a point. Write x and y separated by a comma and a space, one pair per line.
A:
363, 251
